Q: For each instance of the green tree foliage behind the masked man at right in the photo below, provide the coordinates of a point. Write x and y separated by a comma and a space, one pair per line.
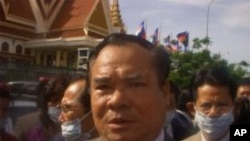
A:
185, 65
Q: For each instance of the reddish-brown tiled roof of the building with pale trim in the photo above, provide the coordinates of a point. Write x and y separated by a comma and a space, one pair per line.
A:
69, 21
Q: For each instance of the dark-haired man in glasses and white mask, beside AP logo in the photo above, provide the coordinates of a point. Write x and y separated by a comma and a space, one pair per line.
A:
214, 92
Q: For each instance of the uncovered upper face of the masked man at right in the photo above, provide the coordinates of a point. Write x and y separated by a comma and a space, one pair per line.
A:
213, 101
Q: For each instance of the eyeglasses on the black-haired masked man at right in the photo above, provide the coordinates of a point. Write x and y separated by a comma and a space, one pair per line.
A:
219, 108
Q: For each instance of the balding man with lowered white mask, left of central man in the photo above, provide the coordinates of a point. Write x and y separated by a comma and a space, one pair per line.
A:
76, 117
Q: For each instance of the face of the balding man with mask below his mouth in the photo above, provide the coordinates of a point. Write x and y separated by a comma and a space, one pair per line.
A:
71, 106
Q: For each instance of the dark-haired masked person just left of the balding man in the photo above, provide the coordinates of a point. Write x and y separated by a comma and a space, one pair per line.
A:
48, 128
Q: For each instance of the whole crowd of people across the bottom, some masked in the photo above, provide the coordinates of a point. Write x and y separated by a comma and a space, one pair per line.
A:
126, 95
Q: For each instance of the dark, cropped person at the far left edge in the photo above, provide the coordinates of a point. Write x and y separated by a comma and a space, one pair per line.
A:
5, 99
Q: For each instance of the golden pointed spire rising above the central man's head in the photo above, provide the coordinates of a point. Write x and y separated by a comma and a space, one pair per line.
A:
116, 15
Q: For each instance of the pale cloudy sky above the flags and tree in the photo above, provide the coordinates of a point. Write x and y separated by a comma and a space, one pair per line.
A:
229, 22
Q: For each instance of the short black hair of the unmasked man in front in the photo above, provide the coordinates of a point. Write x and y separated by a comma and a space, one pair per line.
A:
161, 60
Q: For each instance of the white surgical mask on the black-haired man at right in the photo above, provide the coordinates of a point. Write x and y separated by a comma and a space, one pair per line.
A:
214, 127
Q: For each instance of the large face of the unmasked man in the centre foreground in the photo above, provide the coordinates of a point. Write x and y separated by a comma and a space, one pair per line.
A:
127, 102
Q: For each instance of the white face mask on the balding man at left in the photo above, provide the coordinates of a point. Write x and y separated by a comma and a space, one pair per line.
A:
72, 131
